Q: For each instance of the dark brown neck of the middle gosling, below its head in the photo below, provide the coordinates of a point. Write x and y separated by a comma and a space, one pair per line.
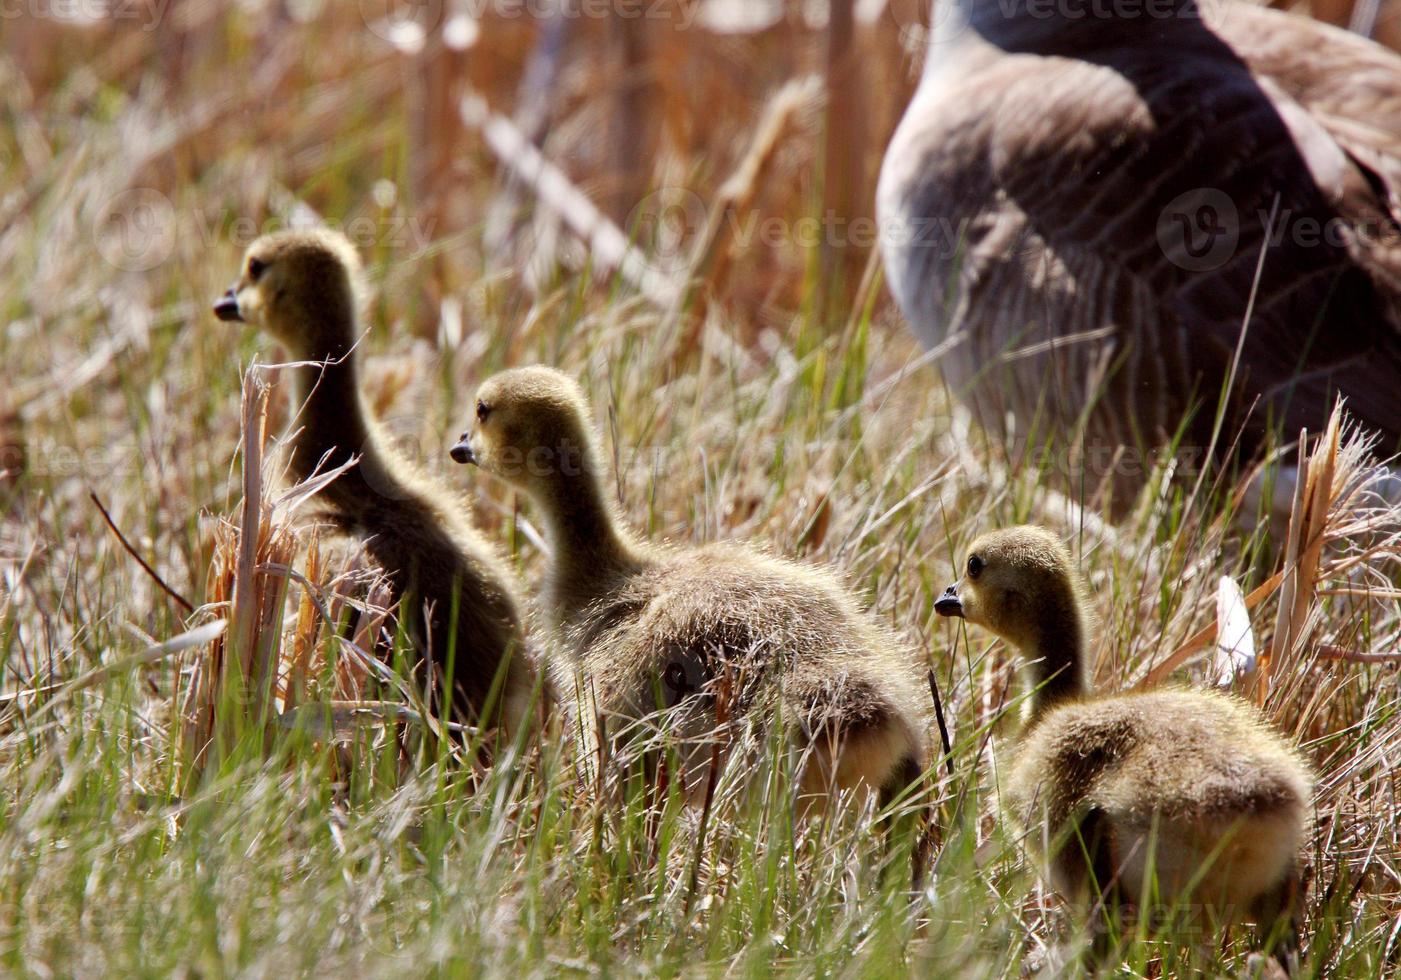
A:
586, 534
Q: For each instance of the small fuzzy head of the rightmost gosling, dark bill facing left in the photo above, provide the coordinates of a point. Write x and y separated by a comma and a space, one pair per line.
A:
1016, 583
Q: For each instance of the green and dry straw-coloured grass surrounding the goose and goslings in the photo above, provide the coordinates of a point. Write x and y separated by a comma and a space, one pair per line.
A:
160, 817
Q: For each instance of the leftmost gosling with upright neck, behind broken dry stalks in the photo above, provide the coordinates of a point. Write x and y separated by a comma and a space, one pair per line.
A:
459, 598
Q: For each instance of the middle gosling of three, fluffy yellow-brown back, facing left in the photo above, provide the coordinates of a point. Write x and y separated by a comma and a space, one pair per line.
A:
642, 628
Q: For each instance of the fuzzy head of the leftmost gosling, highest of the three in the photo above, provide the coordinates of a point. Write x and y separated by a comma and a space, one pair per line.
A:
303, 288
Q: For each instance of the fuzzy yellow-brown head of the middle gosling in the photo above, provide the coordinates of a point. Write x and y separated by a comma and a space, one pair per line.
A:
533, 428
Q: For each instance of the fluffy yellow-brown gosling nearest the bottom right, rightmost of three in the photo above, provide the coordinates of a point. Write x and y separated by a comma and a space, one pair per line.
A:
1180, 790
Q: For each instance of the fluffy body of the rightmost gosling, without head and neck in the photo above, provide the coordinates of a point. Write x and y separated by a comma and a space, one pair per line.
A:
1221, 796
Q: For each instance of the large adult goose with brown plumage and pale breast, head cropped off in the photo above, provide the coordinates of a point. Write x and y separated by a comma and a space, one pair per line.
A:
1077, 205
